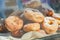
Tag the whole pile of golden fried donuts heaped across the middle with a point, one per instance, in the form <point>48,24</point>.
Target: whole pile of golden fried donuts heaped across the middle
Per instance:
<point>38,22</point>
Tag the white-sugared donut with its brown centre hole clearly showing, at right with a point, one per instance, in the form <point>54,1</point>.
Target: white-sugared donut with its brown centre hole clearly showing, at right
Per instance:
<point>50,25</point>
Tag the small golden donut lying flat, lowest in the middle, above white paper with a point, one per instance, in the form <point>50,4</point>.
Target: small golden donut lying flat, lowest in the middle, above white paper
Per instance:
<point>31,27</point>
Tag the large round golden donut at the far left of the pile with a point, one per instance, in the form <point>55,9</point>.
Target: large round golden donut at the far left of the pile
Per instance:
<point>13,23</point>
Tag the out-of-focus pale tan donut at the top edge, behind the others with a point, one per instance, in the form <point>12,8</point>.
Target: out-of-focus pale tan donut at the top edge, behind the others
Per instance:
<point>32,4</point>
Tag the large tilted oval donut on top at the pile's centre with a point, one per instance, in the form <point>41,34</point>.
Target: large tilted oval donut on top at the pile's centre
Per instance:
<point>33,15</point>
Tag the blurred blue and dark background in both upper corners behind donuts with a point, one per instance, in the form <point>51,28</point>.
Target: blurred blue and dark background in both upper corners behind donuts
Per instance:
<point>8,6</point>
